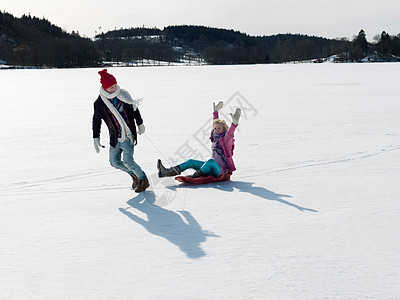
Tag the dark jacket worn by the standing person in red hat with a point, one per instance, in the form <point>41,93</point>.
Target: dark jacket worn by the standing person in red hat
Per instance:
<point>101,112</point>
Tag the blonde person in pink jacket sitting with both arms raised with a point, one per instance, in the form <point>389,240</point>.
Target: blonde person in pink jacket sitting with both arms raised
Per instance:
<point>221,161</point>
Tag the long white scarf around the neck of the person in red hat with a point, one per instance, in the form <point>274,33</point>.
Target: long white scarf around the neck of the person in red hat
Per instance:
<point>124,96</point>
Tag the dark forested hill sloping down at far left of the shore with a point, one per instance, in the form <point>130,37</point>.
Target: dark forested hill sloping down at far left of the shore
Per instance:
<point>30,41</point>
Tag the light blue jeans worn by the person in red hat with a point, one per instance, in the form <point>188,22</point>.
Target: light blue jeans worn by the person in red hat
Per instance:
<point>127,164</point>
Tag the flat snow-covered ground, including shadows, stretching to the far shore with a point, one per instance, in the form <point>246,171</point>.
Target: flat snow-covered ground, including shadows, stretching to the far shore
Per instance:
<point>311,213</point>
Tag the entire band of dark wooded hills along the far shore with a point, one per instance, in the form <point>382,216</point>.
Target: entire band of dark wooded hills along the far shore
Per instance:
<point>30,41</point>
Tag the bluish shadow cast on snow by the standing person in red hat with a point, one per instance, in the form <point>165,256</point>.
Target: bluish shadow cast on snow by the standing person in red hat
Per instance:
<point>180,229</point>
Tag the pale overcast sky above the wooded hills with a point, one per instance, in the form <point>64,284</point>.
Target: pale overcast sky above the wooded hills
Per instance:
<point>339,18</point>
